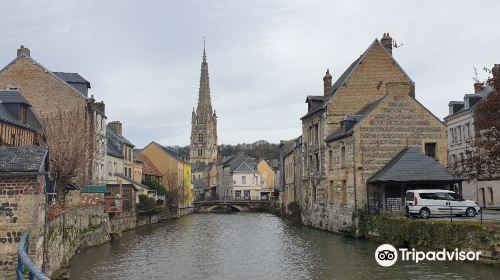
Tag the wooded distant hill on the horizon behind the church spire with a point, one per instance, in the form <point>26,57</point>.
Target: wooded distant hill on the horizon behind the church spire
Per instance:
<point>260,150</point>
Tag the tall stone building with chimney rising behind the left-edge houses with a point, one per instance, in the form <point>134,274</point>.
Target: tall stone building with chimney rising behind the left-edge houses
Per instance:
<point>50,93</point>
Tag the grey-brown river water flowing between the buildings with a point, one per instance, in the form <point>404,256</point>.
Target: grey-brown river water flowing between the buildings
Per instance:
<point>250,246</point>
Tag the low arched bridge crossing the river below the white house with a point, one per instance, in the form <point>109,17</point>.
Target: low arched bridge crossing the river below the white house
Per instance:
<point>236,205</point>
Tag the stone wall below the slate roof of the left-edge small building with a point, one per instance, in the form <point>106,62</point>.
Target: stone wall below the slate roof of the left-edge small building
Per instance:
<point>22,207</point>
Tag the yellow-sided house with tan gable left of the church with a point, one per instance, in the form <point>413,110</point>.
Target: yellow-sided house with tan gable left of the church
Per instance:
<point>174,169</point>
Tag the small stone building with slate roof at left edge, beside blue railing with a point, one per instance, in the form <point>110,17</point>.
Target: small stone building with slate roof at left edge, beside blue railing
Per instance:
<point>24,173</point>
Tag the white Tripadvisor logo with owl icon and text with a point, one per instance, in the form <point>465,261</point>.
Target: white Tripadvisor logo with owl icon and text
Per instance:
<point>387,255</point>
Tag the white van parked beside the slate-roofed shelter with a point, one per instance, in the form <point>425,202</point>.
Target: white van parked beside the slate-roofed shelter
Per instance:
<point>425,203</point>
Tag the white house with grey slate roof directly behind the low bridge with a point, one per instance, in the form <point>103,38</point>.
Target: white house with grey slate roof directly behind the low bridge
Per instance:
<point>238,178</point>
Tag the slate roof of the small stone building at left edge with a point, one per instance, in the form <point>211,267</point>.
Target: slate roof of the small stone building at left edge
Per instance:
<point>23,159</point>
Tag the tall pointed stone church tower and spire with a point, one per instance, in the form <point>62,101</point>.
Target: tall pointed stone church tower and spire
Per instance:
<point>203,146</point>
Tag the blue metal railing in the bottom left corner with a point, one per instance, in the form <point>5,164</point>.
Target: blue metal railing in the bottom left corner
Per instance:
<point>24,264</point>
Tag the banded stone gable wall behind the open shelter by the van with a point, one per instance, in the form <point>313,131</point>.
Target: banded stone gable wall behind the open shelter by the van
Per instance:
<point>397,122</point>
